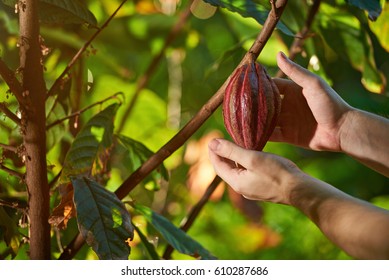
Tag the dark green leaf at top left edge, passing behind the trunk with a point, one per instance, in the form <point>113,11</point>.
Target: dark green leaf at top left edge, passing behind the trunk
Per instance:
<point>62,11</point>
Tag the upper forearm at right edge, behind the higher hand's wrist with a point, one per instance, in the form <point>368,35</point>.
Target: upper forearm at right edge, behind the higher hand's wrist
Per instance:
<point>365,137</point>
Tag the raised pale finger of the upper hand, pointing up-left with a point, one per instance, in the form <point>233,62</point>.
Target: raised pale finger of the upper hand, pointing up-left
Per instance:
<point>298,74</point>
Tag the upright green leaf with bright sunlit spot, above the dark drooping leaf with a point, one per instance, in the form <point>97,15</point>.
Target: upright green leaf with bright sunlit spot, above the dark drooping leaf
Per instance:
<point>96,134</point>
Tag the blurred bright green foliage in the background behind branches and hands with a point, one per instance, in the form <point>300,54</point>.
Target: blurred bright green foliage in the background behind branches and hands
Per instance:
<point>344,47</point>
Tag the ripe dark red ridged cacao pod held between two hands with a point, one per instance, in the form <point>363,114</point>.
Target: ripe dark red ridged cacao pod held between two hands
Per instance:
<point>251,106</point>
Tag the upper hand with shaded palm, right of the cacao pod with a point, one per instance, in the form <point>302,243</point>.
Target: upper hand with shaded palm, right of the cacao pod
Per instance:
<point>312,113</point>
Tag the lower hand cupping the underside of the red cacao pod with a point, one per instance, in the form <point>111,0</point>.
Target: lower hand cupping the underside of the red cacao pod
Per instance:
<point>256,175</point>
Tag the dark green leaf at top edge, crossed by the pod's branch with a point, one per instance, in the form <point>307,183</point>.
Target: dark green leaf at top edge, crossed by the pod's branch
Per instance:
<point>248,8</point>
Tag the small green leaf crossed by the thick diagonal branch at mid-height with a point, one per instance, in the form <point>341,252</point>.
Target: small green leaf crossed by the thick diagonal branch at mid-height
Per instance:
<point>139,153</point>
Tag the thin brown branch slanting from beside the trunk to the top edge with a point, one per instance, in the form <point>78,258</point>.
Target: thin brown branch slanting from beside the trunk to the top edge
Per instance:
<point>58,81</point>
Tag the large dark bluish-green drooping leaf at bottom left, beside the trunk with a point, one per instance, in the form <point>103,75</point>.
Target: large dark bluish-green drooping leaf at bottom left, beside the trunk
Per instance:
<point>102,219</point>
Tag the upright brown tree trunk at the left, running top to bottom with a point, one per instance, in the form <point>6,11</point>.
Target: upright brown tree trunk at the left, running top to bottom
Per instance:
<point>32,105</point>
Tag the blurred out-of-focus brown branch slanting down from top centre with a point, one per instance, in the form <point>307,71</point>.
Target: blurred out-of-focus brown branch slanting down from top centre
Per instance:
<point>144,79</point>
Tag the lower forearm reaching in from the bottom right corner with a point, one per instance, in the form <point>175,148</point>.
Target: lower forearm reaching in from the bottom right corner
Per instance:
<point>357,227</point>
